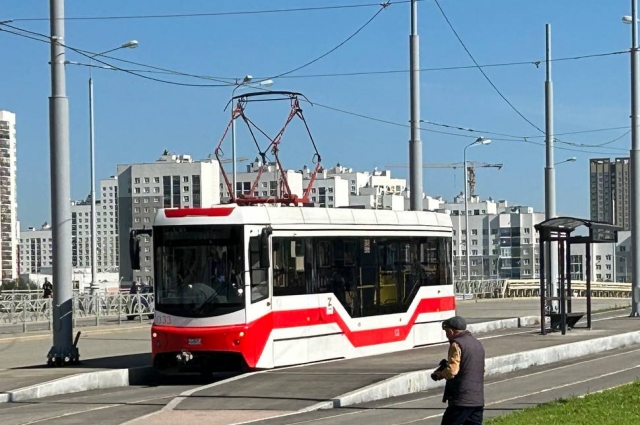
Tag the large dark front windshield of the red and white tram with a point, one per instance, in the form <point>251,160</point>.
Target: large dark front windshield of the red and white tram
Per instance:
<point>199,270</point>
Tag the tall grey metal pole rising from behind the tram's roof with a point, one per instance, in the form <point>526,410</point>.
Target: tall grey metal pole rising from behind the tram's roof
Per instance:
<point>415,144</point>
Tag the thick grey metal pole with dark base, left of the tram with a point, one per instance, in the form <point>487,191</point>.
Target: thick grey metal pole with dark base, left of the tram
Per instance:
<point>63,349</point>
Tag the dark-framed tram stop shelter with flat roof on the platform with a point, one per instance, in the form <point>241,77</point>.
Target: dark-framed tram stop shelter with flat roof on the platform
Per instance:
<point>560,230</point>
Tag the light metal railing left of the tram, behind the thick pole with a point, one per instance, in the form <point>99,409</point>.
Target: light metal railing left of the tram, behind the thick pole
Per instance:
<point>30,311</point>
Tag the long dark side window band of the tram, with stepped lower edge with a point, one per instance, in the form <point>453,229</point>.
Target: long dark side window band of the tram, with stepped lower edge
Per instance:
<point>368,276</point>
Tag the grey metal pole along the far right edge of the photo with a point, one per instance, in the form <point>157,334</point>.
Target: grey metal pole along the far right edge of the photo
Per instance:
<point>635,167</point>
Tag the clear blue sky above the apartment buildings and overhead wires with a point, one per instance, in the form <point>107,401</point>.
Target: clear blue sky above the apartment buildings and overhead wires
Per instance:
<point>136,119</point>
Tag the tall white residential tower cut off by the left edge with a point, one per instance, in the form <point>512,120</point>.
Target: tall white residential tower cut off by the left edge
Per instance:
<point>8,200</point>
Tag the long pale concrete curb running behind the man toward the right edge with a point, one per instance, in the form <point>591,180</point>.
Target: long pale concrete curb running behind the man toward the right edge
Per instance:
<point>420,380</point>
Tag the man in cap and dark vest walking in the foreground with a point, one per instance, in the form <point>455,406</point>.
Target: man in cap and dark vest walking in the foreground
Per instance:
<point>464,372</point>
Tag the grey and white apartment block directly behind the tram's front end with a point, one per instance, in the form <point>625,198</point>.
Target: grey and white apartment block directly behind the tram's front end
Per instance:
<point>172,181</point>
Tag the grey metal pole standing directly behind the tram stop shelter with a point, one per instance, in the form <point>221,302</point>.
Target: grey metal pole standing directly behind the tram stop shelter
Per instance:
<point>551,251</point>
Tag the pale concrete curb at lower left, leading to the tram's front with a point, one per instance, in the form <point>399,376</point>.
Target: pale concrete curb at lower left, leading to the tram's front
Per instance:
<point>78,383</point>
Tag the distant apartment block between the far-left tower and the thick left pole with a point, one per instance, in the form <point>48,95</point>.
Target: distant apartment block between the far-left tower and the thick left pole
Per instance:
<point>36,250</point>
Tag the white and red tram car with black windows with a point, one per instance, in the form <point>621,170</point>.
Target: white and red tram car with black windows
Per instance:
<point>265,286</point>
